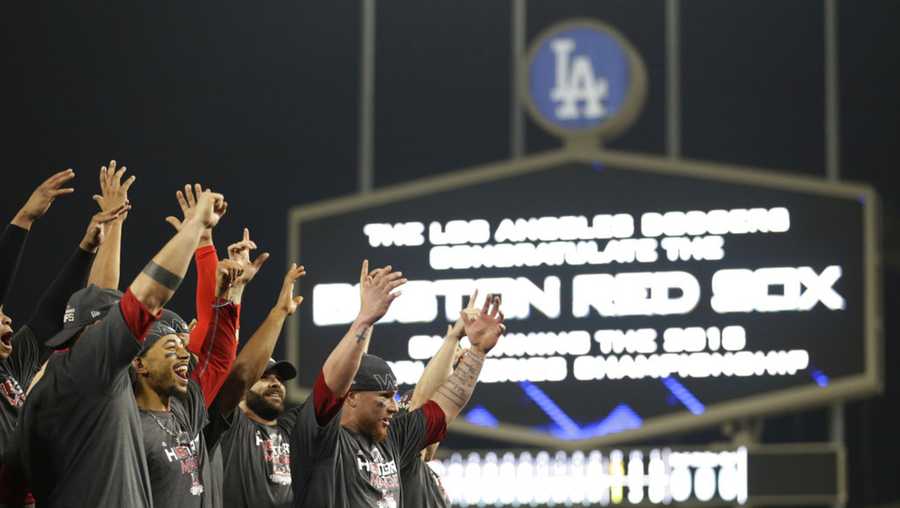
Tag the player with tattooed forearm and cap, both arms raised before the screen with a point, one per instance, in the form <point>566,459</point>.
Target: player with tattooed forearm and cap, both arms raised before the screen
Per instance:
<point>347,447</point>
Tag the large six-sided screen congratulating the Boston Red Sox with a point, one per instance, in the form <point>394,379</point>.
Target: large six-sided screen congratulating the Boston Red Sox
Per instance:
<point>641,295</point>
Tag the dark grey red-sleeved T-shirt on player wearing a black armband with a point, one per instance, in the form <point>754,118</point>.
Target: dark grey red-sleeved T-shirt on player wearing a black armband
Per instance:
<point>81,431</point>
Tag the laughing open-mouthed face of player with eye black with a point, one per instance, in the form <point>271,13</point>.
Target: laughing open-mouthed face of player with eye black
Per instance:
<point>167,365</point>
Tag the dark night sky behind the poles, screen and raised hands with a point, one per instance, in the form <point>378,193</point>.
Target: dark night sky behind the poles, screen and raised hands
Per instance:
<point>260,101</point>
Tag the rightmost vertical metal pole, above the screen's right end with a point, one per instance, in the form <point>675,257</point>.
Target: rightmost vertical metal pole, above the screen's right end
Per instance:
<point>832,105</point>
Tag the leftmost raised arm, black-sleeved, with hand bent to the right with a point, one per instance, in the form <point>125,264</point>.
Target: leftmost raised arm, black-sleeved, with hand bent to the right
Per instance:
<point>12,239</point>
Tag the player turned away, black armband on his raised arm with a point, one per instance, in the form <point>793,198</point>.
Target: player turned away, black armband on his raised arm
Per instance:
<point>81,426</point>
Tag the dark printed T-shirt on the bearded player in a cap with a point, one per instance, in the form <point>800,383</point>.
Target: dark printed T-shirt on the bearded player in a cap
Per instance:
<point>257,462</point>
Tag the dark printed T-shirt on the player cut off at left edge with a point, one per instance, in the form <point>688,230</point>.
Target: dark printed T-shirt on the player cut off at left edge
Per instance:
<point>16,373</point>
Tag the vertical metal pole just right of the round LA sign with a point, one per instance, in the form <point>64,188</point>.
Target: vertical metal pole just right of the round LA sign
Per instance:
<point>673,79</point>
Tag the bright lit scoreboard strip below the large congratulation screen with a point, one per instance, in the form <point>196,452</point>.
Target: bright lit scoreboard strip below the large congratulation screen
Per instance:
<point>781,475</point>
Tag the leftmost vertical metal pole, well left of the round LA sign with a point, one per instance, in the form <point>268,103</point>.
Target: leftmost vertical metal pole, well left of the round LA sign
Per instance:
<point>366,148</point>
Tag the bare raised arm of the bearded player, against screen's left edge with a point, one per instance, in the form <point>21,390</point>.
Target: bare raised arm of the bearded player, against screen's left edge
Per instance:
<point>252,360</point>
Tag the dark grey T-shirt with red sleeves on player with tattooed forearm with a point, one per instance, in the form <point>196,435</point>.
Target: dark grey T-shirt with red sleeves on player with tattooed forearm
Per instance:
<point>334,467</point>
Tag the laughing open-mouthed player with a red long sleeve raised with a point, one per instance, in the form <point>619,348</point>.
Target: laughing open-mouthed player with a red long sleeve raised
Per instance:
<point>172,399</point>
